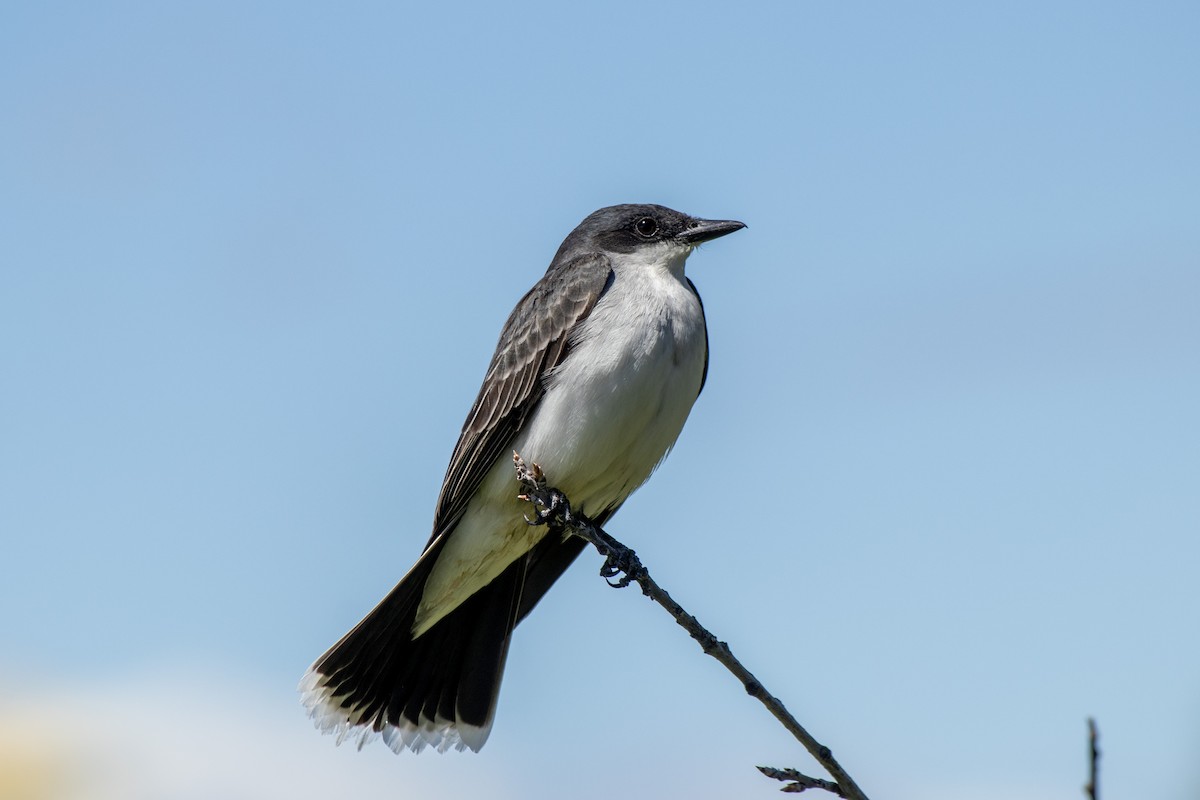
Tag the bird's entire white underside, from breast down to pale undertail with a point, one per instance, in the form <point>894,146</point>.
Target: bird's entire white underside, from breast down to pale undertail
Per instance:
<point>611,412</point>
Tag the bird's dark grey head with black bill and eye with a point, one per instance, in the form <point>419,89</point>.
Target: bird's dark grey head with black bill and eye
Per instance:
<point>633,228</point>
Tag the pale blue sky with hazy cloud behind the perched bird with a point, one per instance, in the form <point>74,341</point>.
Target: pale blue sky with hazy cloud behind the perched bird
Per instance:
<point>941,491</point>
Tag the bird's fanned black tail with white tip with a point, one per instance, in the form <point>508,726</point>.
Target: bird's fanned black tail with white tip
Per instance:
<point>441,689</point>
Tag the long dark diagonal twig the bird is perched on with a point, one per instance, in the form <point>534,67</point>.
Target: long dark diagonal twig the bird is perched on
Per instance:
<point>553,508</point>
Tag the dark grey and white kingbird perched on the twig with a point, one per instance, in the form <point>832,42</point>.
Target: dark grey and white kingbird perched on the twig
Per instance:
<point>593,378</point>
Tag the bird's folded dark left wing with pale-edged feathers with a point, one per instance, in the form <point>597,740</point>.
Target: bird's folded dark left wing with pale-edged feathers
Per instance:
<point>536,340</point>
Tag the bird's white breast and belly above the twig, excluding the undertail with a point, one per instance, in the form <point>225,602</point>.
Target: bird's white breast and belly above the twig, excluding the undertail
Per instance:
<point>617,405</point>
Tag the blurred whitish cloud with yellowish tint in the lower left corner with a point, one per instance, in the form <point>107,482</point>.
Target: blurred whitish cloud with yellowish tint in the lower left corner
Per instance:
<point>183,737</point>
